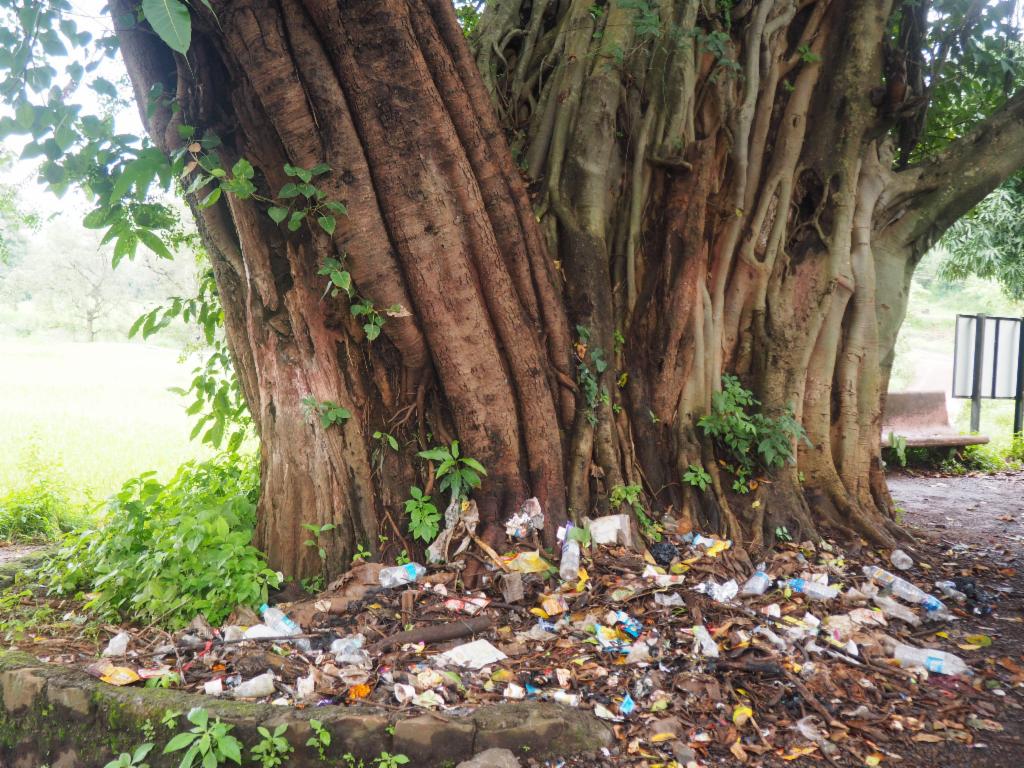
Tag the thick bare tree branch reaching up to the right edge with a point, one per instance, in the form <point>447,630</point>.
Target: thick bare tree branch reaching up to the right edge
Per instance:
<point>926,199</point>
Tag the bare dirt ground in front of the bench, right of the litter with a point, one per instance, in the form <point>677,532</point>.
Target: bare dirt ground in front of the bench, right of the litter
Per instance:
<point>977,524</point>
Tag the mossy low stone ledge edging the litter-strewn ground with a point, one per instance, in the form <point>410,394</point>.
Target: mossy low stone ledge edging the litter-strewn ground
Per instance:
<point>59,716</point>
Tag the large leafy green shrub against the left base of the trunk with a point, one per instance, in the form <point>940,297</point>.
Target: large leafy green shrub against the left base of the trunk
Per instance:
<point>167,552</point>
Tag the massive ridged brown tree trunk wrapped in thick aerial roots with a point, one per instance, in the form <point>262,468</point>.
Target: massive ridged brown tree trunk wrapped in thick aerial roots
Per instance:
<point>708,195</point>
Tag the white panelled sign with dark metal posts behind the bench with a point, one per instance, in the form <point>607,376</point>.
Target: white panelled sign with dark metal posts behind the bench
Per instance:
<point>989,363</point>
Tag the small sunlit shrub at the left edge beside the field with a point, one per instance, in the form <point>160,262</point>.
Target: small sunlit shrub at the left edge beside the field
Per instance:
<point>40,509</point>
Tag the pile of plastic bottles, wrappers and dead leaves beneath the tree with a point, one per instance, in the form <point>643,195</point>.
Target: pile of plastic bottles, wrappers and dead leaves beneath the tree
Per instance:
<point>689,650</point>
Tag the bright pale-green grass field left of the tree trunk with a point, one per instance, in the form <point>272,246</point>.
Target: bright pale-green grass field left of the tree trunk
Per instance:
<point>102,411</point>
